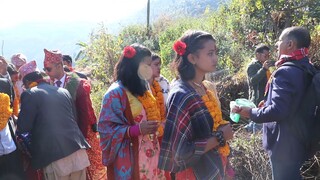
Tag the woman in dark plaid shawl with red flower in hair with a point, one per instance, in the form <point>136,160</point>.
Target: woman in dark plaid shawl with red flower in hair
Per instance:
<point>194,145</point>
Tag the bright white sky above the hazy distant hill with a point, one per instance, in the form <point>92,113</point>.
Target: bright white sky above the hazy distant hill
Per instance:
<point>21,11</point>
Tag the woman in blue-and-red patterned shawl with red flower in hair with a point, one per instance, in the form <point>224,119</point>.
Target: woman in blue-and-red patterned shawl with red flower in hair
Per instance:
<point>129,119</point>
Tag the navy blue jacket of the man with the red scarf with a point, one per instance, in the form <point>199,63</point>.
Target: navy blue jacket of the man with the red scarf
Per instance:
<point>283,100</point>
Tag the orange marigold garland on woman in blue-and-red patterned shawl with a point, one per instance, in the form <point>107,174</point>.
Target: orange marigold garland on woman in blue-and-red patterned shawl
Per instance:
<point>149,103</point>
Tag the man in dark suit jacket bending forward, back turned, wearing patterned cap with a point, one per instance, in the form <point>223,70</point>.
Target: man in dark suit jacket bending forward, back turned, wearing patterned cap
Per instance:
<point>47,114</point>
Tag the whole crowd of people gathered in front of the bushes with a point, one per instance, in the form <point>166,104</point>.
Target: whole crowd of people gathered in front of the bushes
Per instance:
<point>147,128</point>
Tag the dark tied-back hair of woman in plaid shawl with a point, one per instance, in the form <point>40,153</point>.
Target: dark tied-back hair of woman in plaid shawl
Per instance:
<point>194,41</point>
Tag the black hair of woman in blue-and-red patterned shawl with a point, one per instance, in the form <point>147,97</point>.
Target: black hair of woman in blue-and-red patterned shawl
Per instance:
<point>126,70</point>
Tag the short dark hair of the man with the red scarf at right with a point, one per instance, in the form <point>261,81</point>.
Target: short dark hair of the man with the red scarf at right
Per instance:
<point>300,34</point>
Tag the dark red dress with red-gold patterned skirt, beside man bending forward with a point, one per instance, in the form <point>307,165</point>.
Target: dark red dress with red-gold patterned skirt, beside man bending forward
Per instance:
<point>80,92</point>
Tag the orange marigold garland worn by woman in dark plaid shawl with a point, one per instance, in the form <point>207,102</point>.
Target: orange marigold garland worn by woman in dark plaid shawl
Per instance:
<point>216,114</point>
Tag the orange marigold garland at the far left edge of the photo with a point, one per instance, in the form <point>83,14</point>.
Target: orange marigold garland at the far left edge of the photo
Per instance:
<point>5,110</point>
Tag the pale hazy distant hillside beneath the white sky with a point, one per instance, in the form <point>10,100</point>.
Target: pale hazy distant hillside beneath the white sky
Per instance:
<point>31,38</point>
